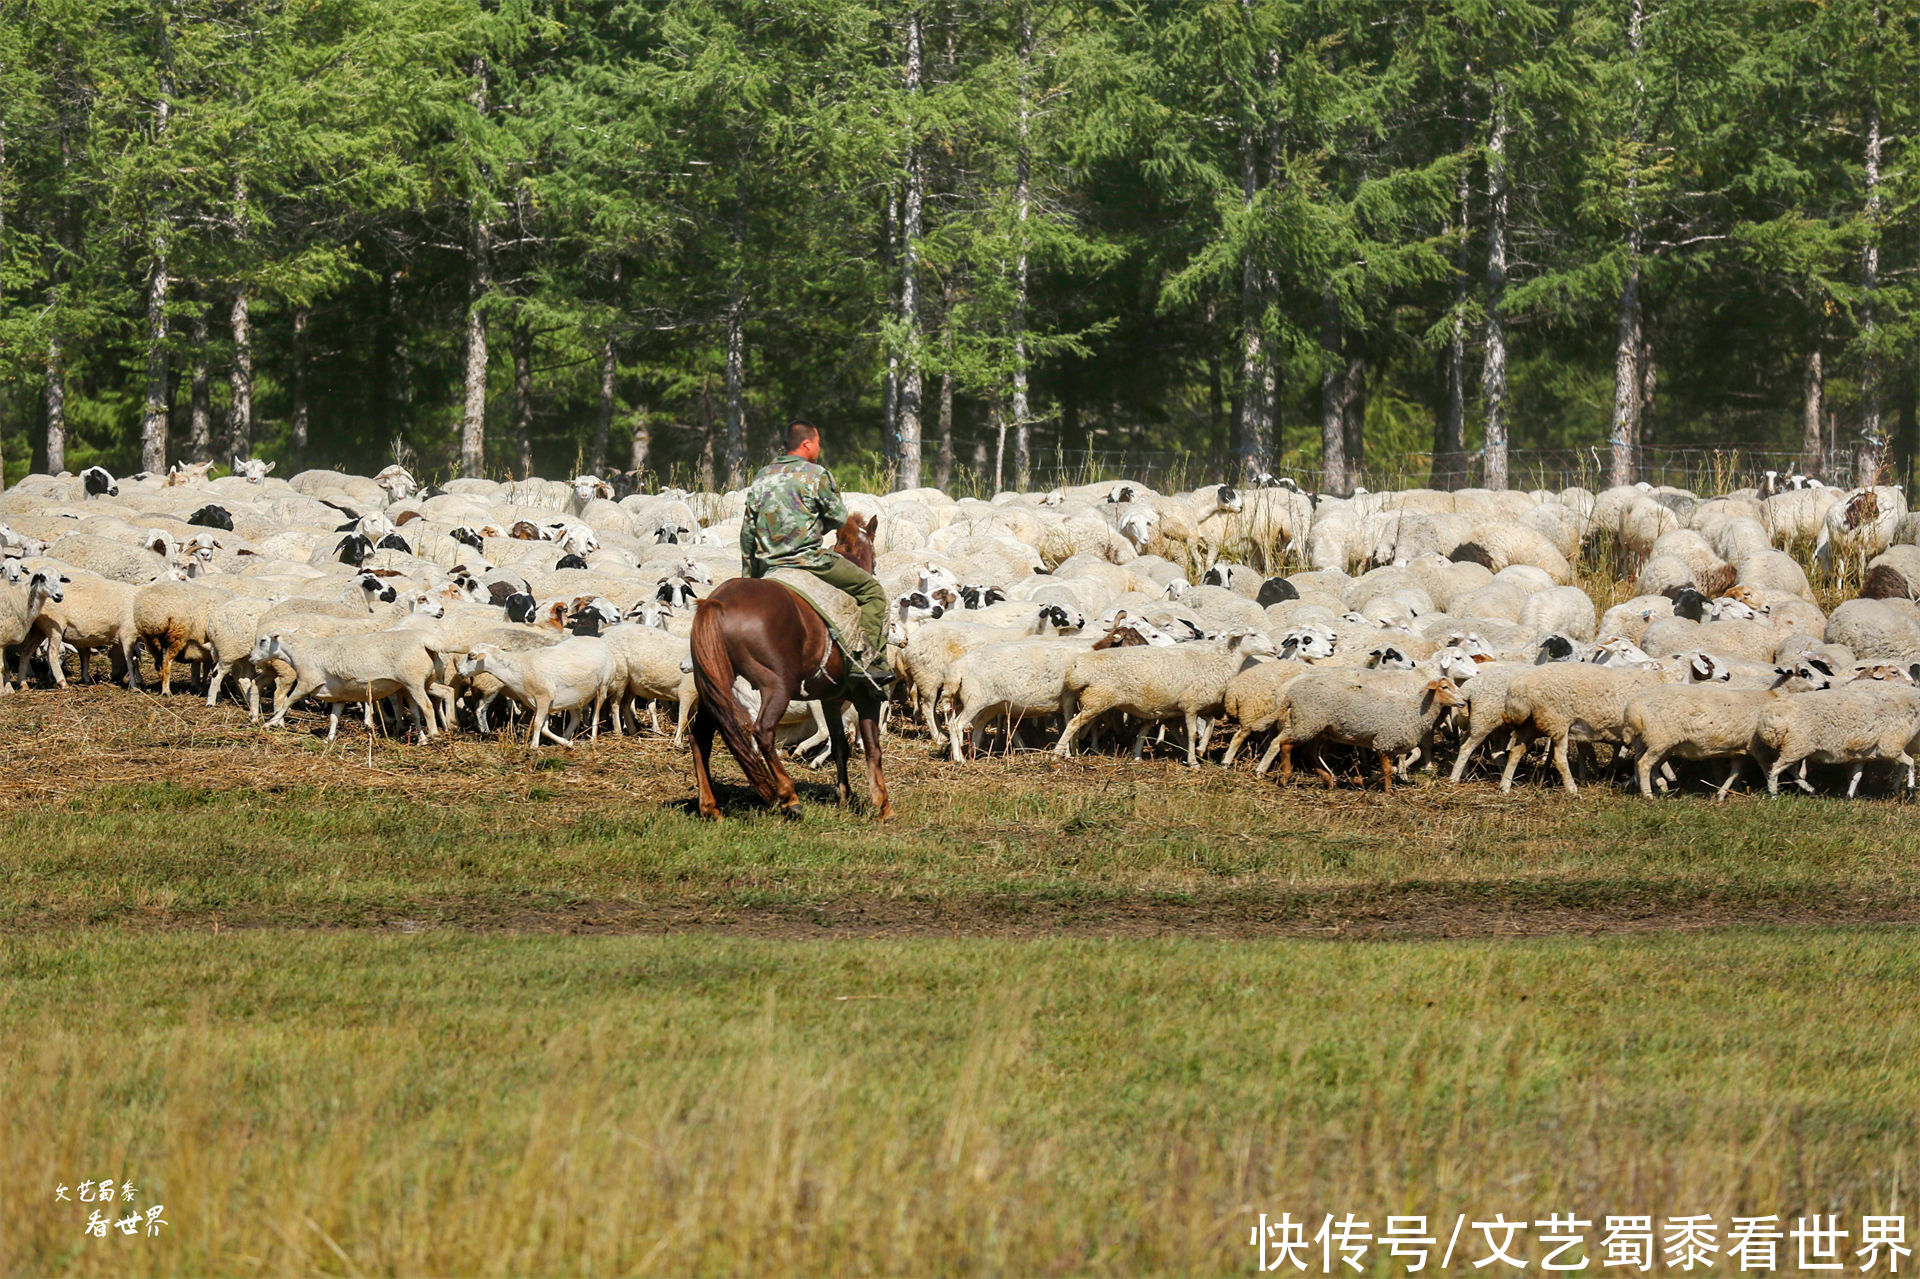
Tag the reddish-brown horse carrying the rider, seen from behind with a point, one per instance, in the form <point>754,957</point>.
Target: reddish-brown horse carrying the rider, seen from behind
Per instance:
<point>780,646</point>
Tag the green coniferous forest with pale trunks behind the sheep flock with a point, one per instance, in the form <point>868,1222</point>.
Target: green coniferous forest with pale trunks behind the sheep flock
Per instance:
<point>1360,241</point>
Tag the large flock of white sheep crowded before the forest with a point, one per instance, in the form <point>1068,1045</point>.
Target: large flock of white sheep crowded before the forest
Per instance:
<point>1381,629</point>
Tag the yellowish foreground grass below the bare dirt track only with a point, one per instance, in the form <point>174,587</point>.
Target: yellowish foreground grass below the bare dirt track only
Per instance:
<point>502,1107</point>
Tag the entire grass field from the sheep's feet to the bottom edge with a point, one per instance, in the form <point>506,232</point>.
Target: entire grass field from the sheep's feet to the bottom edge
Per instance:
<point>456,1011</point>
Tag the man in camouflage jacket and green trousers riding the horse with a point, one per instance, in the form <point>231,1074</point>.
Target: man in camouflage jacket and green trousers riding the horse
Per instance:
<point>790,508</point>
